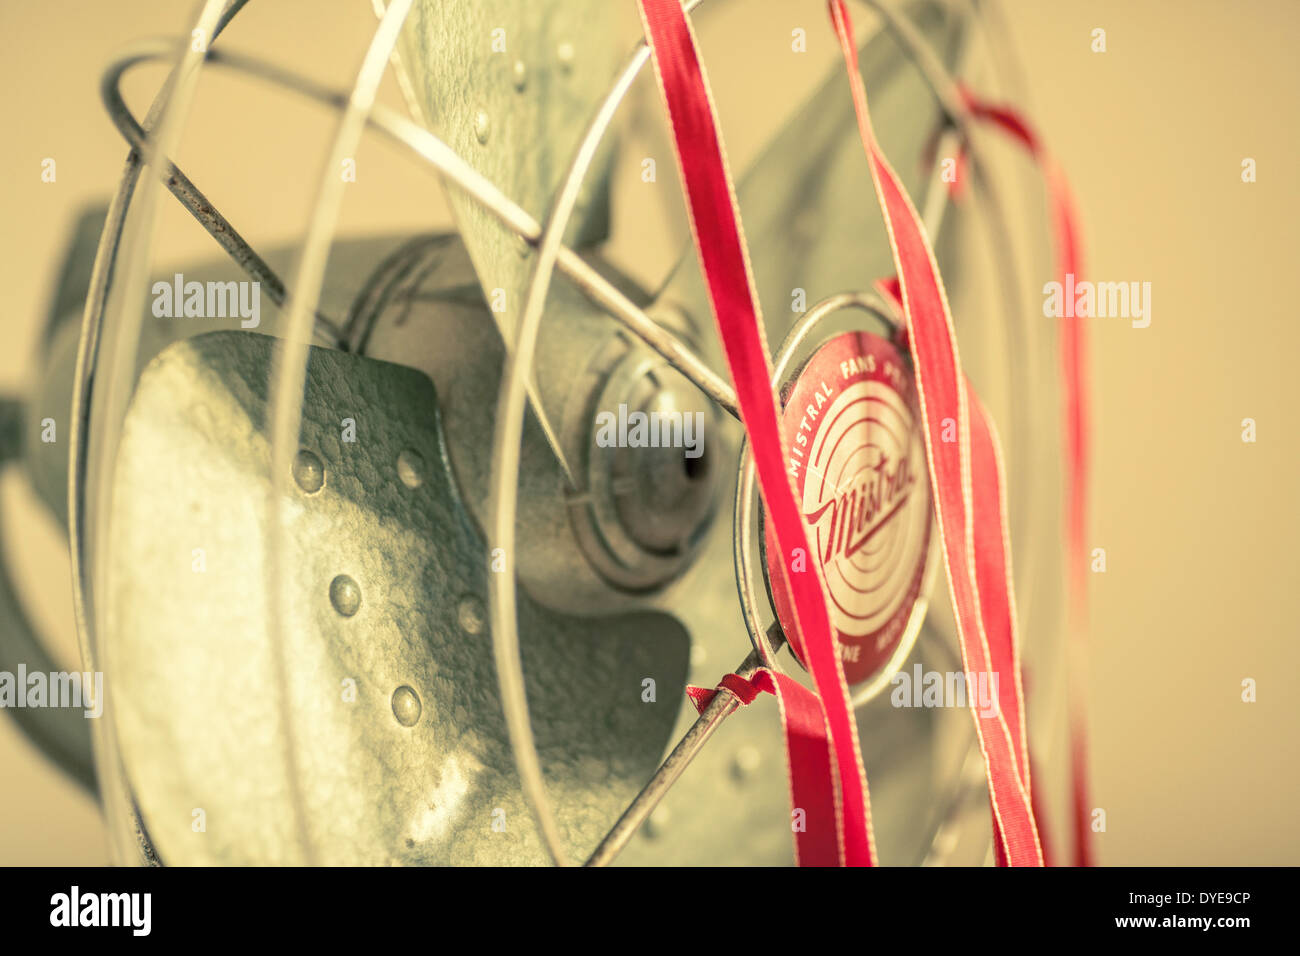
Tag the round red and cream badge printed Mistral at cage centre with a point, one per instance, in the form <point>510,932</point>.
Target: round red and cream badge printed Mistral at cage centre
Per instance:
<point>851,431</point>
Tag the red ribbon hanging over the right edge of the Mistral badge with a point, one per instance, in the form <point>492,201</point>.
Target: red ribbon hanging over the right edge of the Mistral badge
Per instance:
<point>963,473</point>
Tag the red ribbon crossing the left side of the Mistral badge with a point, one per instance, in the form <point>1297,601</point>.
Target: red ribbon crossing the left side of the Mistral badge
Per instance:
<point>725,262</point>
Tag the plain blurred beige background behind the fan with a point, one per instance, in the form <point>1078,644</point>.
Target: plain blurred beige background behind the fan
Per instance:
<point>1201,529</point>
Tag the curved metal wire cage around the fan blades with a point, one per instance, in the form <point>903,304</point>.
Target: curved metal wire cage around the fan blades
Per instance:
<point>112,327</point>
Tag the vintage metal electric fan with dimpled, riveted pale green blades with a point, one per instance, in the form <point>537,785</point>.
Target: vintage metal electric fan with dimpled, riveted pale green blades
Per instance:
<point>443,615</point>
